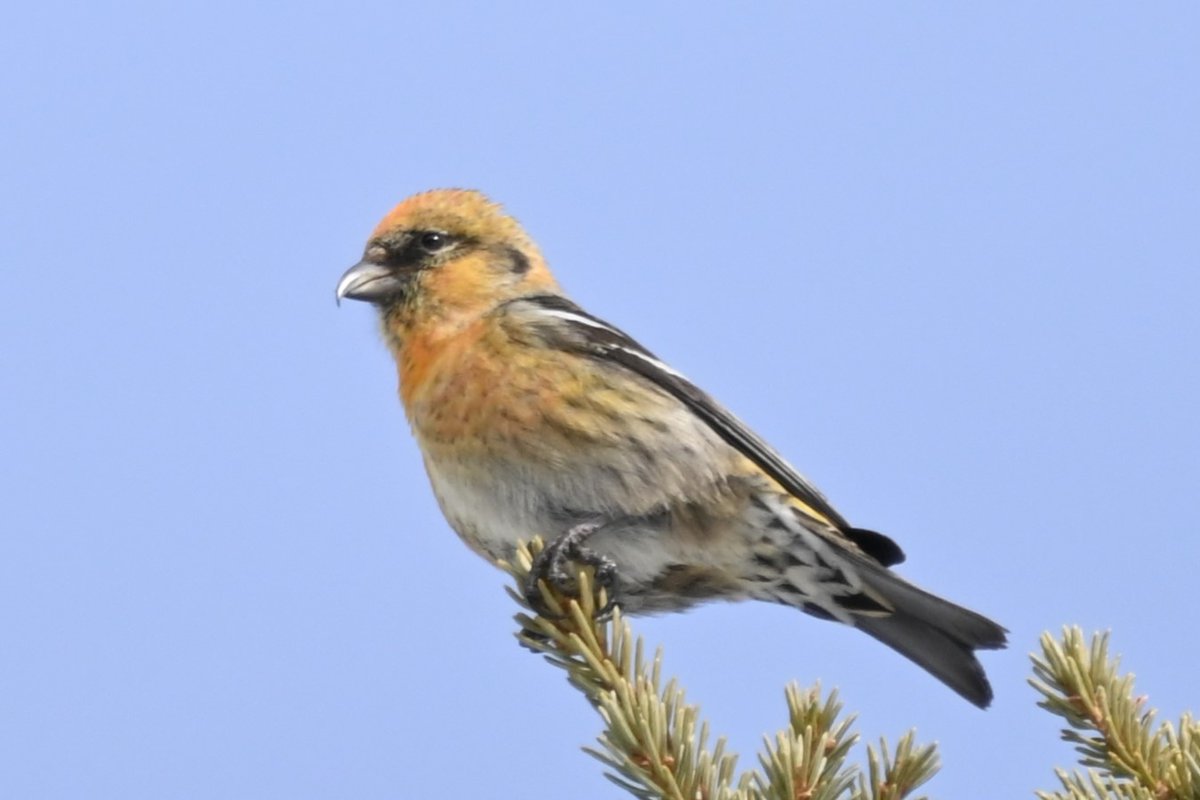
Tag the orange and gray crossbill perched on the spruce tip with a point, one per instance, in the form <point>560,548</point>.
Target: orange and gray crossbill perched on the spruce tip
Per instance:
<point>536,418</point>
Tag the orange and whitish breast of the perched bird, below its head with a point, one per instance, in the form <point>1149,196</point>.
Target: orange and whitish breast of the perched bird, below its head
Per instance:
<point>517,446</point>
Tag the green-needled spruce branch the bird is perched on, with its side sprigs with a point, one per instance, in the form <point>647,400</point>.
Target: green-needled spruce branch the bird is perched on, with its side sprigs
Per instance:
<point>656,744</point>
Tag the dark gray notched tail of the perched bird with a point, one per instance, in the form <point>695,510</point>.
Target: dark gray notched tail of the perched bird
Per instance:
<point>935,634</point>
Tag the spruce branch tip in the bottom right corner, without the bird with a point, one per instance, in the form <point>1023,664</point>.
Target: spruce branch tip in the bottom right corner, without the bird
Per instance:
<point>1125,753</point>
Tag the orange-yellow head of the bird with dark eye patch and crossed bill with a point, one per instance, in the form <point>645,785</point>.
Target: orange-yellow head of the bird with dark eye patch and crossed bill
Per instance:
<point>447,252</point>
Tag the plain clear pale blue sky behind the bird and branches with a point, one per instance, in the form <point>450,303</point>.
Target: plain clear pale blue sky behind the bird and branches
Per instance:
<point>944,257</point>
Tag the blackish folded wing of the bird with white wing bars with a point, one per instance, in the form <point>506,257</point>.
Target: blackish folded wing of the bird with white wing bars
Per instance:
<point>571,328</point>
